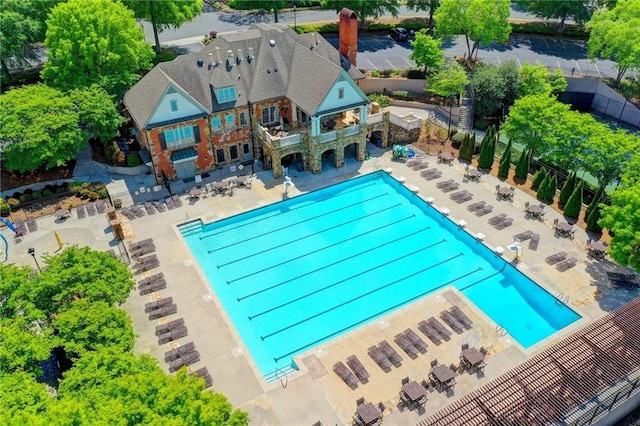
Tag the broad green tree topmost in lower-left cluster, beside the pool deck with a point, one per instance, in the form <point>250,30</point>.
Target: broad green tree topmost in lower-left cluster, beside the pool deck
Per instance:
<point>80,273</point>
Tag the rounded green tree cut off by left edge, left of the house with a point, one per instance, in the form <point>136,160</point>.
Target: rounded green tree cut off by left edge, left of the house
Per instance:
<point>38,127</point>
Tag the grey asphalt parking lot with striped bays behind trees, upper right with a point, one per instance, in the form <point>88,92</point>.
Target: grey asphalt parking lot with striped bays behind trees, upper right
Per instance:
<point>378,51</point>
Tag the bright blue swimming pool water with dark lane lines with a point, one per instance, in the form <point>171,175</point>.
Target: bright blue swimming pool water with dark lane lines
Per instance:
<point>302,271</point>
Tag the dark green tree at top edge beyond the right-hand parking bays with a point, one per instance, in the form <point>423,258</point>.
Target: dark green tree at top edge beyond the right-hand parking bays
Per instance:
<point>579,10</point>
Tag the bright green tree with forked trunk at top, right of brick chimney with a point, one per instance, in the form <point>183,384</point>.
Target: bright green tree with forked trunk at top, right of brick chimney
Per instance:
<point>479,21</point>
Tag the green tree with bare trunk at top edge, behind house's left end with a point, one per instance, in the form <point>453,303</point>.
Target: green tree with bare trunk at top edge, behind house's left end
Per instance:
<point>167,14</point>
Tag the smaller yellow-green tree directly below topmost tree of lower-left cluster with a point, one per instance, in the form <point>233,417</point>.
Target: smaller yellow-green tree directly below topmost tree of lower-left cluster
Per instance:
<point>90,326</point>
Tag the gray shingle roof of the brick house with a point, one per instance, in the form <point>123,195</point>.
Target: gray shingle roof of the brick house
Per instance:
<point>285,64</point>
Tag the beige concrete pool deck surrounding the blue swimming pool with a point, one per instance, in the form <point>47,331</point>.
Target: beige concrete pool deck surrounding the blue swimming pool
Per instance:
<point>316,393</point>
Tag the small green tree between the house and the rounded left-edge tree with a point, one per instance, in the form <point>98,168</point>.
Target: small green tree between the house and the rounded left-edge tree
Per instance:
<point>97,112</point>
